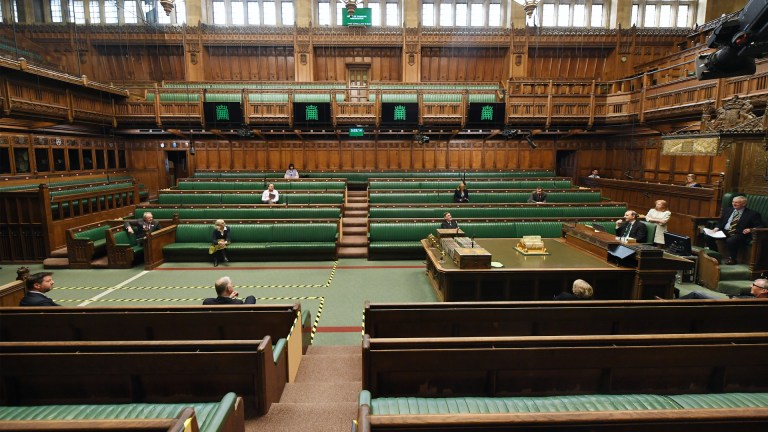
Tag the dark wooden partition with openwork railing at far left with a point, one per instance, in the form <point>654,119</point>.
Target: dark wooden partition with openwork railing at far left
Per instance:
<point>34,223</point>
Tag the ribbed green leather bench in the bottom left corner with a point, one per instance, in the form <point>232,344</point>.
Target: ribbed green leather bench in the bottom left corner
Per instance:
<point>223,416</point>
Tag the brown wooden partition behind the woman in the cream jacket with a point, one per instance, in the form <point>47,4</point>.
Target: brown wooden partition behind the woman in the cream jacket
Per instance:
<point>688,205</point>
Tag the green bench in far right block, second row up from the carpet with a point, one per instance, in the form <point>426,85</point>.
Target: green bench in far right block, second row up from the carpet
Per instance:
<point>498,212</point>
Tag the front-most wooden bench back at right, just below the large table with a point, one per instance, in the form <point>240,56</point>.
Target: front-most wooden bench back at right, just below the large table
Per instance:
<point>564,318</point>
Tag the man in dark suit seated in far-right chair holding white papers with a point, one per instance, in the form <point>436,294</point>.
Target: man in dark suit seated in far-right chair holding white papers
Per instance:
<point>736,223</point>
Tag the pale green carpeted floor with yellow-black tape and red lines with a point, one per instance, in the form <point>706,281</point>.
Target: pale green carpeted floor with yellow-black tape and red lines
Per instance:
<point>334,292</point>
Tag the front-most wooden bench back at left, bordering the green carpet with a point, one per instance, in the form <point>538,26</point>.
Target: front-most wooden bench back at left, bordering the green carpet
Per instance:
<point>219,322</point>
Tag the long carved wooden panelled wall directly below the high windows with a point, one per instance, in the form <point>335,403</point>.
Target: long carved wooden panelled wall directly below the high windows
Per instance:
<point>105,53</point>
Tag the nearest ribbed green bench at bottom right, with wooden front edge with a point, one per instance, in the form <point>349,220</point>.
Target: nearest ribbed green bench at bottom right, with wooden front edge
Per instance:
<point>724,412</point>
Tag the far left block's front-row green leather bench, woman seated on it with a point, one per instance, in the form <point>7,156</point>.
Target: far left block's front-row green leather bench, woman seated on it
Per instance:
<point>291,240</point>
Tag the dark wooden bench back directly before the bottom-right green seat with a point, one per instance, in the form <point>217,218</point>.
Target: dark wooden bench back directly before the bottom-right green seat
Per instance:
<point>659,364</point>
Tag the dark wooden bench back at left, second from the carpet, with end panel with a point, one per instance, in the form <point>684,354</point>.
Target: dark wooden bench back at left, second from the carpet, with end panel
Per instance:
<point>45,373</point>
